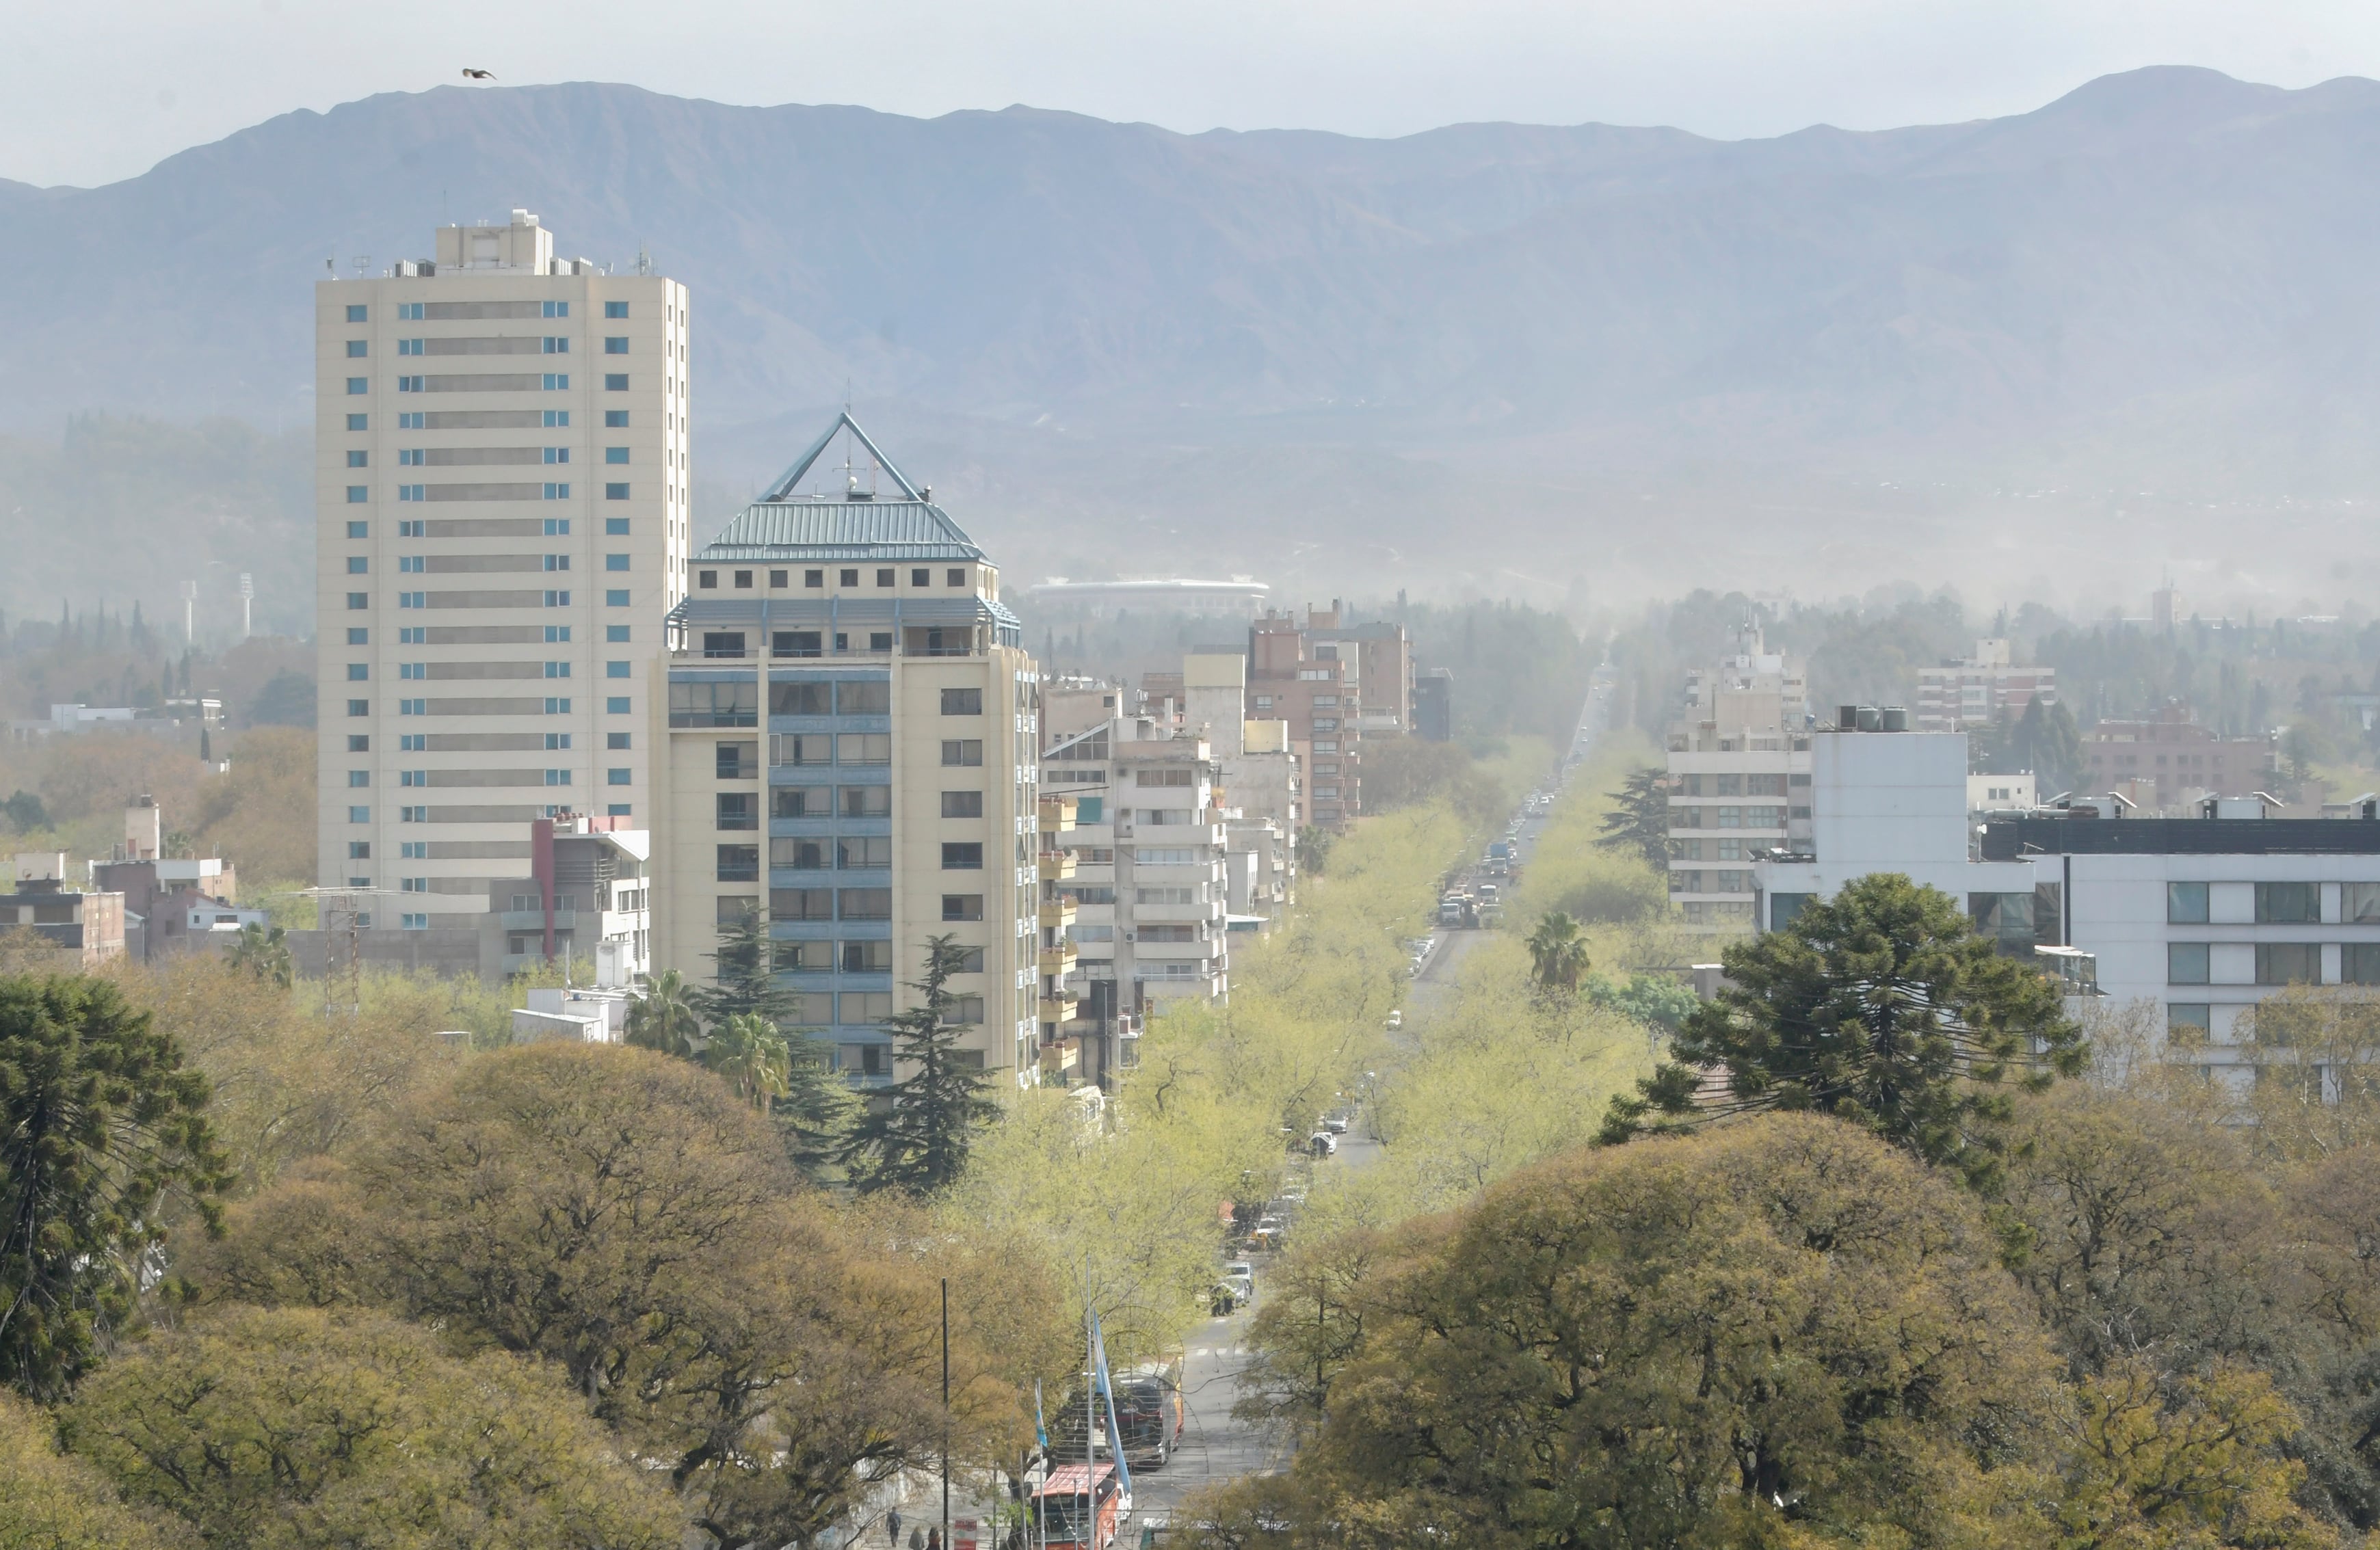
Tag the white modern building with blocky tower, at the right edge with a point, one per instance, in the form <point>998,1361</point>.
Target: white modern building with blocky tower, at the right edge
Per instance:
<point>2200,915</point>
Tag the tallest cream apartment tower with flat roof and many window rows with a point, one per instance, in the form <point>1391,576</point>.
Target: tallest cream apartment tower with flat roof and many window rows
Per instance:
<point>503,523</point>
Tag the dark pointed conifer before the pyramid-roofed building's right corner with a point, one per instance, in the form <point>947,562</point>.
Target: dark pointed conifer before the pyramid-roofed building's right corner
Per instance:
<point>917,1142</point>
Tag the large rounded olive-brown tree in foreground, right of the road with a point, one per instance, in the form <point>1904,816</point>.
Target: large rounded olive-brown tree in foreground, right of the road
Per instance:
<point>1772,1335</point>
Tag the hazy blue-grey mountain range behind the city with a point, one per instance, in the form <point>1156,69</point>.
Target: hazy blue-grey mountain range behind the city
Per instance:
<point>2117,327</point>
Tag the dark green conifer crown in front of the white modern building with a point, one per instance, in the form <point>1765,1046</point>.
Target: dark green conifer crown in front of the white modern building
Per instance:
<point>1879,1006</point>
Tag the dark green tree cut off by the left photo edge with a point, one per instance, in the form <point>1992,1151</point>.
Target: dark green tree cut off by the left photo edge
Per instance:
<point>101,1125</point>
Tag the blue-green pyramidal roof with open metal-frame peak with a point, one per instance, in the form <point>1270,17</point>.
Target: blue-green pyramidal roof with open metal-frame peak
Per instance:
<point>848,523</point>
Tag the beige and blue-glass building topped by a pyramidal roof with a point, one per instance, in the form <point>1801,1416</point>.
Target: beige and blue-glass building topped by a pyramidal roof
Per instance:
<point>851,730</point>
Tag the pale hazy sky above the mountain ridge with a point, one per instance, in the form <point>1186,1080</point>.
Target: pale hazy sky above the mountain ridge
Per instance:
<point>101,89</point>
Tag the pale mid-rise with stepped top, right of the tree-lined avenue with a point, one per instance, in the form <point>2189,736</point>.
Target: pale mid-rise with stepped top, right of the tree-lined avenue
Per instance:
<point>1739,780</point>
